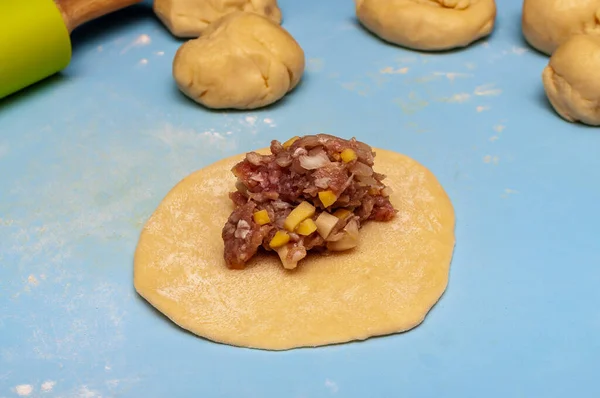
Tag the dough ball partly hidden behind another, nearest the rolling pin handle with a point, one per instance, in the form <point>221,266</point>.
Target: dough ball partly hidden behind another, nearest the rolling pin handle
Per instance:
<point>190,18</point>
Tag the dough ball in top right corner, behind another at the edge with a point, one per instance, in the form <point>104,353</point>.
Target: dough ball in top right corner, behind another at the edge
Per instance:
<point>548,23</point>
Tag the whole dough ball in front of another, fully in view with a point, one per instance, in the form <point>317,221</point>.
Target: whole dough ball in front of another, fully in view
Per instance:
<point>242,61</point>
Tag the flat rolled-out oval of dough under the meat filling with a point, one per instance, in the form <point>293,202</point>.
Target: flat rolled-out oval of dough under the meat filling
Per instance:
<point>387,285</point>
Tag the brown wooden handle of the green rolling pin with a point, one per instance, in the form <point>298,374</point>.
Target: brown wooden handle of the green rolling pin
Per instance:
<point>77,12</point>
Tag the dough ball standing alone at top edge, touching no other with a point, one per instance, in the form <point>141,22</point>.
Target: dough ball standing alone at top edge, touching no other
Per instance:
<point>428,24</point>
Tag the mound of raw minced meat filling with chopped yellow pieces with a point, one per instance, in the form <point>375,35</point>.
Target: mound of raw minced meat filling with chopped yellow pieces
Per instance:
<point>311,193</point>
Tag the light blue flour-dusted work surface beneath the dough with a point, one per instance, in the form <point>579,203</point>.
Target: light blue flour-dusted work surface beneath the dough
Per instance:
<point>86,156</point>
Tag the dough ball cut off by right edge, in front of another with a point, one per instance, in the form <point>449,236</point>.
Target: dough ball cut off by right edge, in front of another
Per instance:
<point>572,79</point>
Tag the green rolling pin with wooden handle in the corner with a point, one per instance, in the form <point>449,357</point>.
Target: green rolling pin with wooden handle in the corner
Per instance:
<point>35,40</point>
